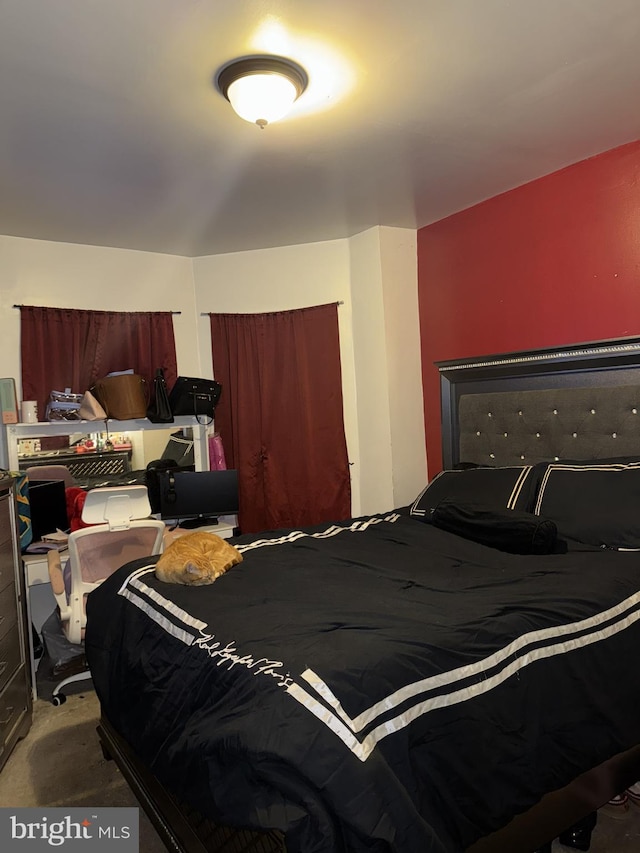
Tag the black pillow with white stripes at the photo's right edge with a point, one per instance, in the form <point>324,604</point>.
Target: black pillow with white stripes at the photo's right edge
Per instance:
<point>597,503</point>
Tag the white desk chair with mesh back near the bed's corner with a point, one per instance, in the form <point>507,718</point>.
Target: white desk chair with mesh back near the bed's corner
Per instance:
<point>118,535</point>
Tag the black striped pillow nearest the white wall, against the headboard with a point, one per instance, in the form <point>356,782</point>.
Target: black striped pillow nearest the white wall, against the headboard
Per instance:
<point>511,487</point>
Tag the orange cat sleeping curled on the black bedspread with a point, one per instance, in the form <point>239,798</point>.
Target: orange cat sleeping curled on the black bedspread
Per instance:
<point>196,558</point>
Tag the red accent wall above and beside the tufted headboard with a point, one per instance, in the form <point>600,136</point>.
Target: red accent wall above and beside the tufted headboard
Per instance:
<point>553,262</point>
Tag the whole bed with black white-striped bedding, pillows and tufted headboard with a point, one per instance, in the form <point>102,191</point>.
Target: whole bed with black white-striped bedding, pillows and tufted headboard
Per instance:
<point>384,684</point>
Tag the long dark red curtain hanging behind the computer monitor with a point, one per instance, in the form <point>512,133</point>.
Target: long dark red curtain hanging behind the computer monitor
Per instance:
<point>280,415</point>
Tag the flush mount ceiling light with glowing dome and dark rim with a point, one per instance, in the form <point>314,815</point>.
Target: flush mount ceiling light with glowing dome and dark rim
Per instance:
<point>262,89</point>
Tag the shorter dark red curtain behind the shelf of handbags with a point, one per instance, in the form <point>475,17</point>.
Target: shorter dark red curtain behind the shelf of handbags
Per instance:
<point>69,348</point>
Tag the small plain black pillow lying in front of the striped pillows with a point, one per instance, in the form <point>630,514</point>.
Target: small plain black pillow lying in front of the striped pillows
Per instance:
<point>508,530</point>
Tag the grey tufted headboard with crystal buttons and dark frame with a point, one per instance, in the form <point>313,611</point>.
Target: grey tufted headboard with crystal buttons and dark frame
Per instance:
<point>579,402</point>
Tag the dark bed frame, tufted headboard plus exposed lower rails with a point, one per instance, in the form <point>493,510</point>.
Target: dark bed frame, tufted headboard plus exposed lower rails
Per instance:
<point>580,402</point>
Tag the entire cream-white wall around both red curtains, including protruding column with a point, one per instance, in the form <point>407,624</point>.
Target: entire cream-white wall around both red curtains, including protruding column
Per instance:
<point>373,275</point>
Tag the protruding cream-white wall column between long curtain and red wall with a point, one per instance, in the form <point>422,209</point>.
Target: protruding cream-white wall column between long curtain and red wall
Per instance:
<point>386,339</point>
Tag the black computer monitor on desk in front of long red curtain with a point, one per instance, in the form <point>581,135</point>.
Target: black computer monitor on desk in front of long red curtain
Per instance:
<point>197,498</point>
